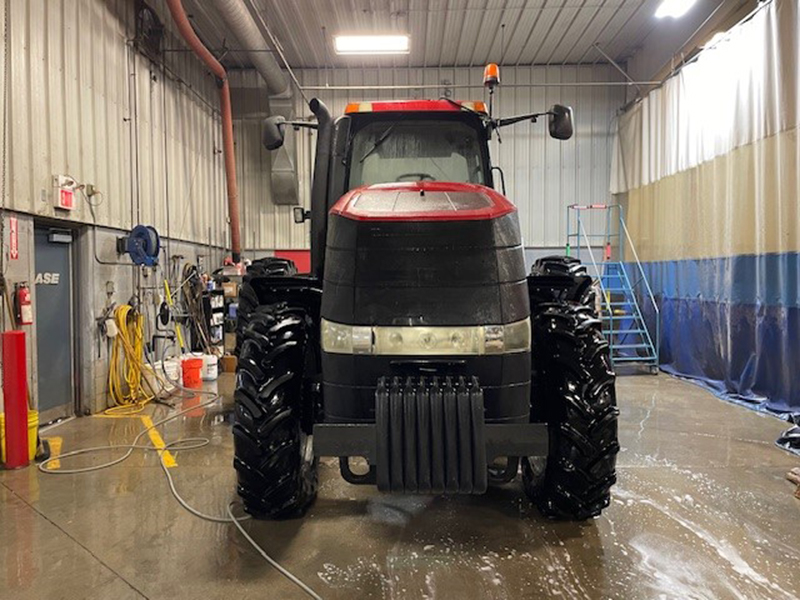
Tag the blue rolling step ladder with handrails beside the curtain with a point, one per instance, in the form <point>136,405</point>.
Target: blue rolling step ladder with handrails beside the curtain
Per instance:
<point>621,286</point>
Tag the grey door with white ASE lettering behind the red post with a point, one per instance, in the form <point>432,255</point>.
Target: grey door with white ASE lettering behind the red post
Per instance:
<point>53,319</point>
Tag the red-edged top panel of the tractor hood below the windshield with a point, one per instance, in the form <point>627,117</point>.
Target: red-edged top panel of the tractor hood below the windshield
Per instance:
<point>422,201</point>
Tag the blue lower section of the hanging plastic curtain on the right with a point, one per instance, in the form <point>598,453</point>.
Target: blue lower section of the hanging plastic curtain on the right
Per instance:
<point>733,324</point>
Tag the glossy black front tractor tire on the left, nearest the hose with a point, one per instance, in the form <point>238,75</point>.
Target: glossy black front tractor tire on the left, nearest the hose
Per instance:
<point>277,470</point>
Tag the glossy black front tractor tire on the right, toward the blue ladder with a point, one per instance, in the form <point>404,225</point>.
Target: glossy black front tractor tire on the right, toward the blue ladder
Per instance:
<point>573,392</point>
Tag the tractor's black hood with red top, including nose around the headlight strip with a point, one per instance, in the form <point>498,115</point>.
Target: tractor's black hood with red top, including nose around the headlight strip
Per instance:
<point>426,254</point>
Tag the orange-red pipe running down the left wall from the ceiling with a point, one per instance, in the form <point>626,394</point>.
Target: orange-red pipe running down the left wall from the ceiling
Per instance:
<point>188,34</point>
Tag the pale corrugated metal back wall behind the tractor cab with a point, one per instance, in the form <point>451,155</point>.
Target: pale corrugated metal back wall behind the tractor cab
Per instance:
<point>543,175</point>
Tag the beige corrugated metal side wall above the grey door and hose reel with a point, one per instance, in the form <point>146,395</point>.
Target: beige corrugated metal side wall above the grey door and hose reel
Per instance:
<point>82,100</point>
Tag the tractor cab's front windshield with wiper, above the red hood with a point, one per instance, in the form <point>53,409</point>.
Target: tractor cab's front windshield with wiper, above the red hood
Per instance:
<point>416,150</point>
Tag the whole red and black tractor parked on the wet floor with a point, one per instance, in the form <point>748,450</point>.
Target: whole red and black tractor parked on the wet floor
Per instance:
<point>418,341</point>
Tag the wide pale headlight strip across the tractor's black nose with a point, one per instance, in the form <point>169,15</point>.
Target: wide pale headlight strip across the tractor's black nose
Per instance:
<point>426,341</point>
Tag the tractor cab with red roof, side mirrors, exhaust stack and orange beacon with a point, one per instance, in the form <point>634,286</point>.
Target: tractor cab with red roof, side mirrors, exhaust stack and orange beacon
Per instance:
<point>402,141</point>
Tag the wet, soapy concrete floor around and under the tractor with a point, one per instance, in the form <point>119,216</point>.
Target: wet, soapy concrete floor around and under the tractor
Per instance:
<point>701,511</point>
